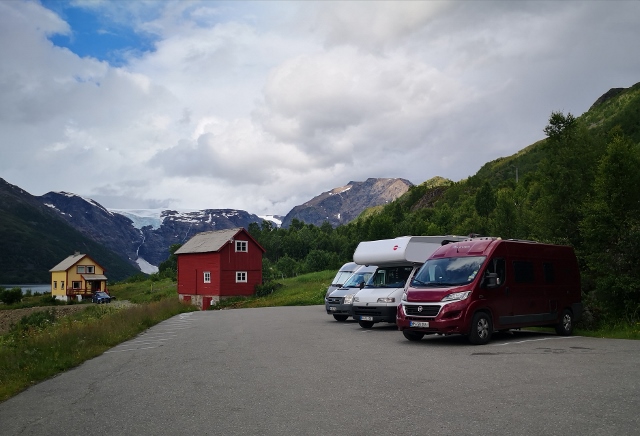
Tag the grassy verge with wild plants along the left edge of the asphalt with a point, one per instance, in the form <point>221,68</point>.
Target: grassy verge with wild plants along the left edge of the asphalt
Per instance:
<point>40,347</point>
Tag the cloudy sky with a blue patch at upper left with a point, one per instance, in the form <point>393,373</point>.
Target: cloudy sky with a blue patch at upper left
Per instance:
<point>261,106</point>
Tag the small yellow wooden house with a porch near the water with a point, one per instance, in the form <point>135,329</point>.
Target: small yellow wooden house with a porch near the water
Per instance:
<point>77,277</point>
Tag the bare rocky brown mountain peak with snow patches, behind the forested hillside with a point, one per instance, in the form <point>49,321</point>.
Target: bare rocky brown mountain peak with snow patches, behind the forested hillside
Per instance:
<point>344,204</point>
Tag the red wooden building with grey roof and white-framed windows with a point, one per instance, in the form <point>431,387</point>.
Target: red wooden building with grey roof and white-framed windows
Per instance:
<point>218,264</point>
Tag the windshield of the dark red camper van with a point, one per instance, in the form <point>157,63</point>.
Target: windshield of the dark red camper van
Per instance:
<point>450,271</point>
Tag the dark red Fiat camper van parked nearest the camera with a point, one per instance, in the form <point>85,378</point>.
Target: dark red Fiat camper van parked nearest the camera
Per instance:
<point>482,285</point>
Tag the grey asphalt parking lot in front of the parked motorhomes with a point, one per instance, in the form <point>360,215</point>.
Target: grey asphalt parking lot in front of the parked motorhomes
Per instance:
<point>295,370</point>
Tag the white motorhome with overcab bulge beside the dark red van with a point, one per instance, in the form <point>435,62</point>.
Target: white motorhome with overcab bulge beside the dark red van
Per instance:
<point>397,259</point>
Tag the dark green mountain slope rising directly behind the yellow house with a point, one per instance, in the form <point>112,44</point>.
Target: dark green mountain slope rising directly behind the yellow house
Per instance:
<point>35,239</point>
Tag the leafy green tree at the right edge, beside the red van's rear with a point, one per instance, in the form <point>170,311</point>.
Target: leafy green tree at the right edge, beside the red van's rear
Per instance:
<point>611,229</point>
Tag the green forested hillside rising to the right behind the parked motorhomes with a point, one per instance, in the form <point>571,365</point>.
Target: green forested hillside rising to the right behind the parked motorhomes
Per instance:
<point>578,186</point>
